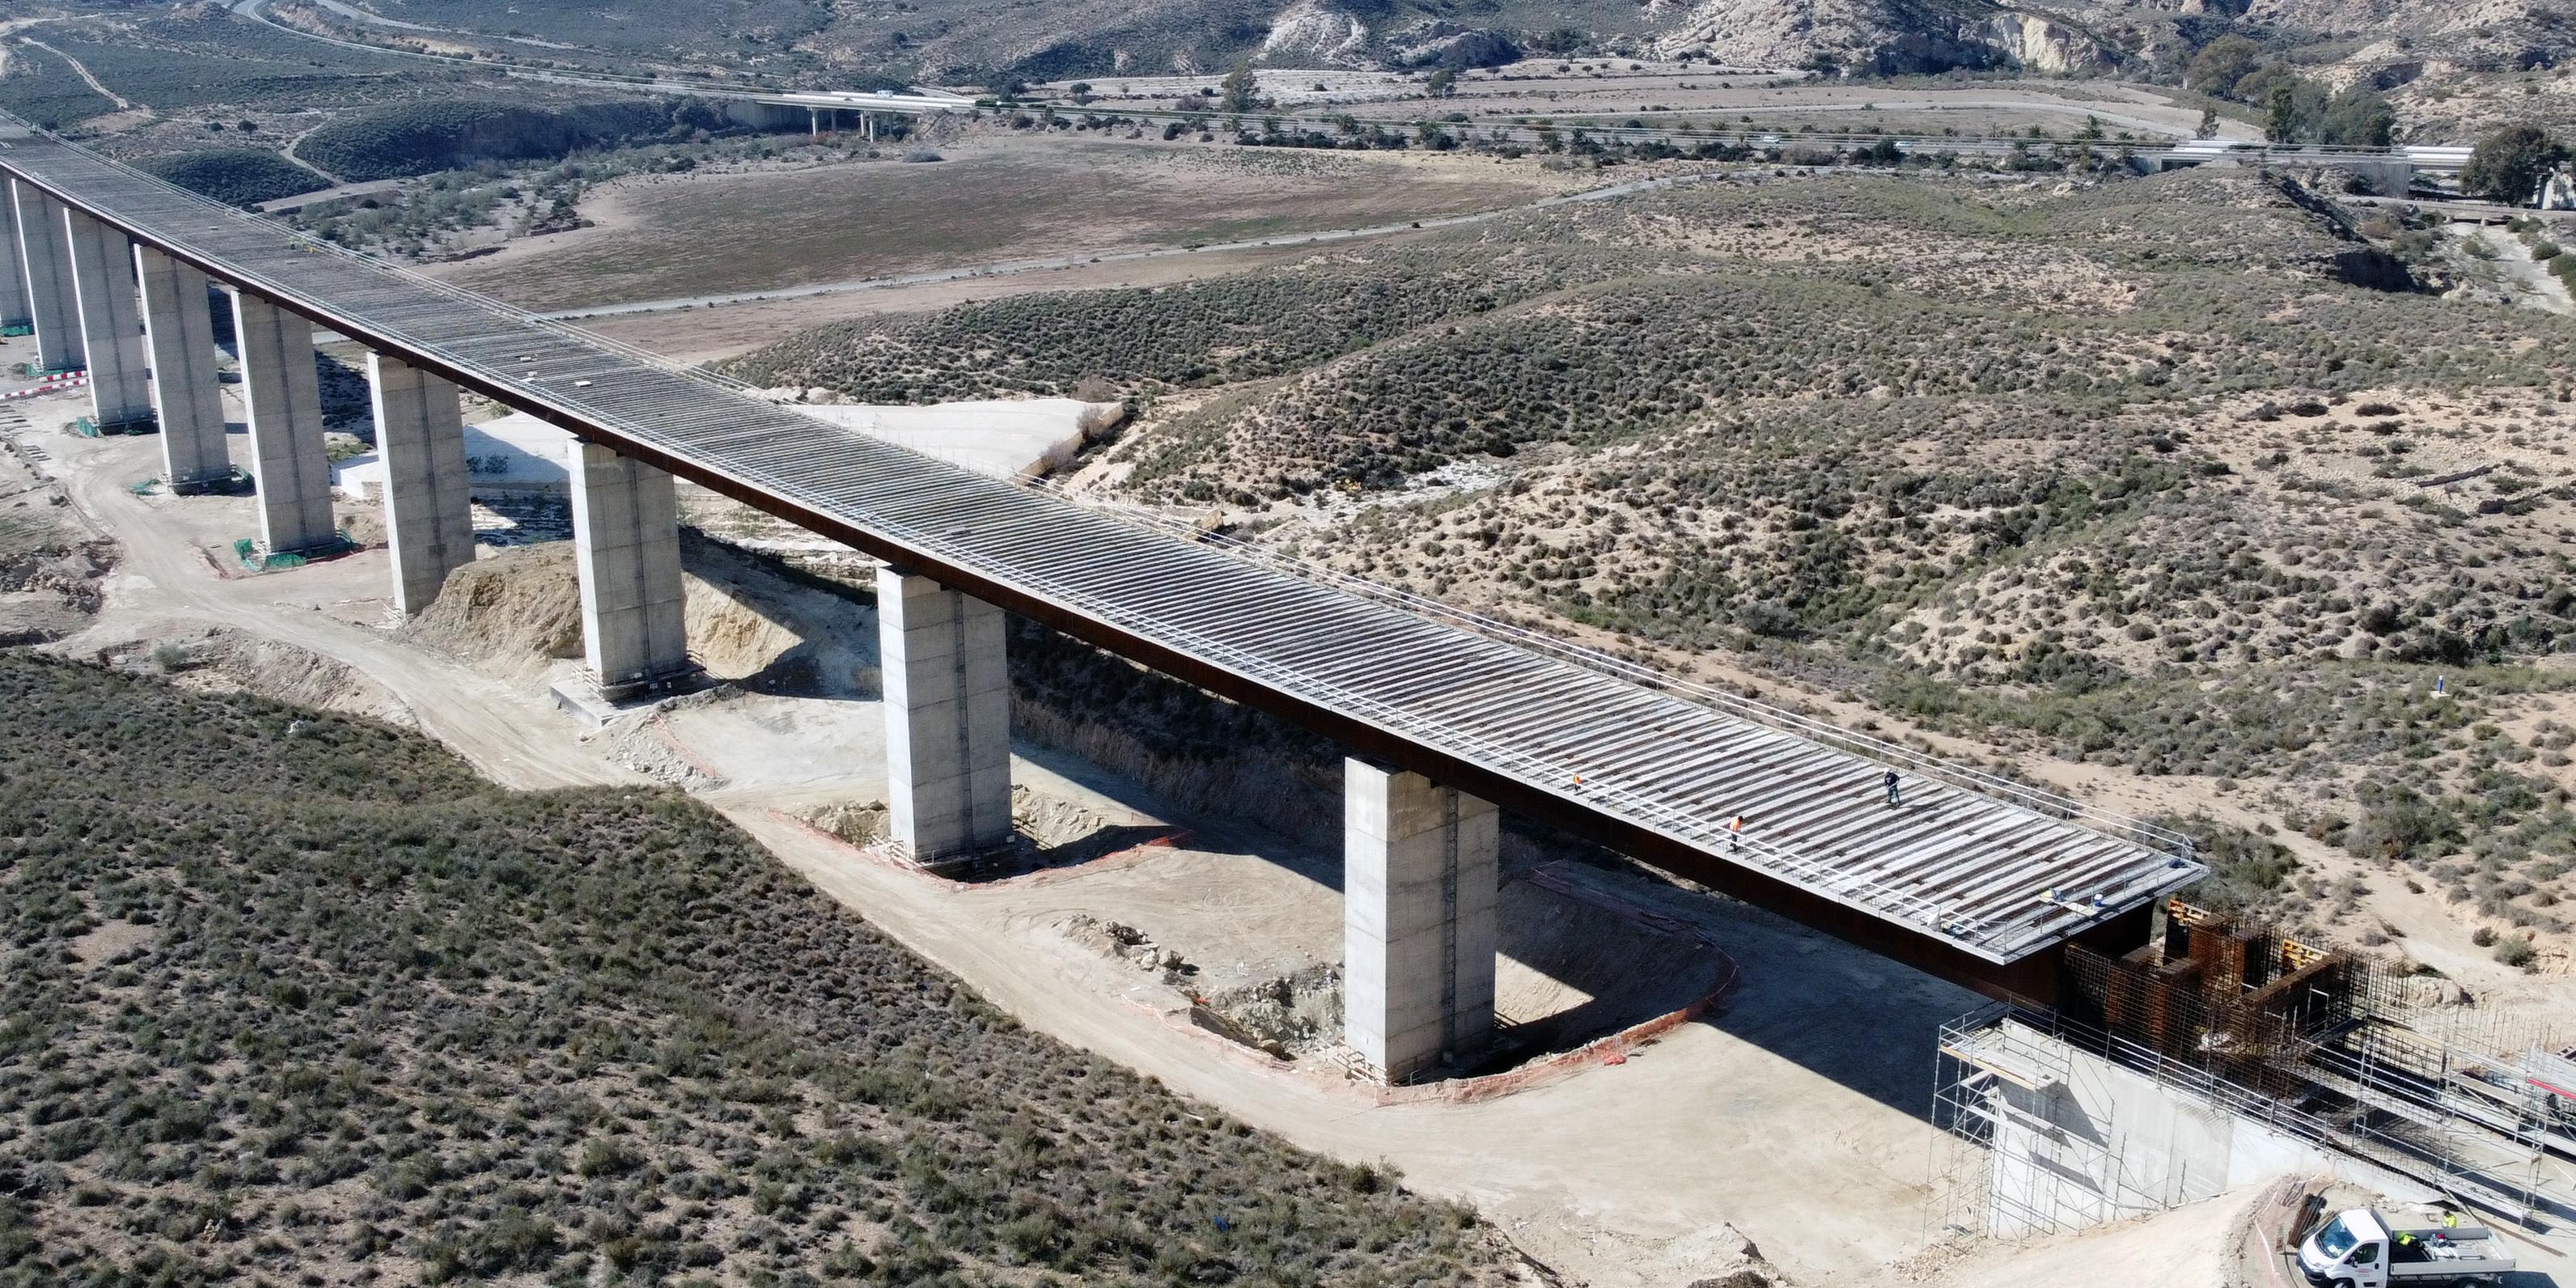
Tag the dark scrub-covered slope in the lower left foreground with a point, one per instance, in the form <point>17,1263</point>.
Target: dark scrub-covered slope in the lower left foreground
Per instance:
<point>303,996</point>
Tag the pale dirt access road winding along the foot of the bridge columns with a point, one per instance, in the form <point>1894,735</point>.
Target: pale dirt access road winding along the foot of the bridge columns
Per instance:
<point>1789,1117</point>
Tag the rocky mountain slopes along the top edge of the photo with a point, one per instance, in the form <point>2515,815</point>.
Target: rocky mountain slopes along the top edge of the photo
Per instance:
<point>2382,43</point>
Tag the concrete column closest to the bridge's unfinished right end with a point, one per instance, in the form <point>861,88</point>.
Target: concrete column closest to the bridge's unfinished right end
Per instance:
<point>1418,921</point>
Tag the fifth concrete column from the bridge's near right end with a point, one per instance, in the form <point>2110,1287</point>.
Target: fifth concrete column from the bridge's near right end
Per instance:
<point>287,452</point>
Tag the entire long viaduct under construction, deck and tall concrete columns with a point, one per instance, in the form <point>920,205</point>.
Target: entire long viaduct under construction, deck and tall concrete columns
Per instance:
<point>1446,720</point>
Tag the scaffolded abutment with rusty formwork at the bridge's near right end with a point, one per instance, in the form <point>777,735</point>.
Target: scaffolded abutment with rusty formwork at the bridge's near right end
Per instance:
<point>2320,1047</point>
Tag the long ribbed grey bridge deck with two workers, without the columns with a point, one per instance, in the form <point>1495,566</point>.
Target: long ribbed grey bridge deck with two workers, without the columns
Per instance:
<point>1972,862</point>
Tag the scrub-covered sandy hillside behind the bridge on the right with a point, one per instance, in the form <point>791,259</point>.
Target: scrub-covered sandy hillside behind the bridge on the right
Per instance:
<point>2178,478</point>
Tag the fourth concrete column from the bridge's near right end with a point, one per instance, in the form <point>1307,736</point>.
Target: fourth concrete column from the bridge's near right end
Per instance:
<point>421,434</point>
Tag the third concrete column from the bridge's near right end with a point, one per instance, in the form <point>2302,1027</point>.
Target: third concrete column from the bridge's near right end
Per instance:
<point>627,537</point>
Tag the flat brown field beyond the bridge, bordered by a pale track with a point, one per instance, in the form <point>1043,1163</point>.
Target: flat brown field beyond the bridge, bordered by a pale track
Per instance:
<point>998,197</point>
